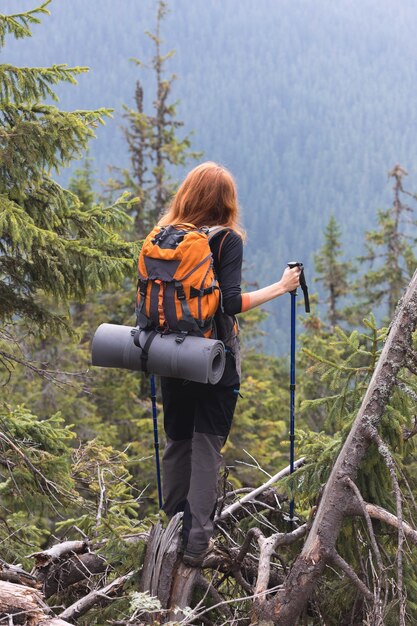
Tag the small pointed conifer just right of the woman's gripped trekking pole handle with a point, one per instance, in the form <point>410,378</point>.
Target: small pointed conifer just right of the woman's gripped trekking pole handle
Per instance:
<point>332,272</point>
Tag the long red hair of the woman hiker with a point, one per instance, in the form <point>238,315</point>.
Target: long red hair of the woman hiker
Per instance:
<point>207,197</point>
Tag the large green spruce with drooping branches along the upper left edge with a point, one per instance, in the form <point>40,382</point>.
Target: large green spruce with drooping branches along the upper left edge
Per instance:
<point>53,249</point>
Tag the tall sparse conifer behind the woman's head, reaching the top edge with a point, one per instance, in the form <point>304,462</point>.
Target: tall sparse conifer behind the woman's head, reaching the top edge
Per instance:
<point>152,140</point>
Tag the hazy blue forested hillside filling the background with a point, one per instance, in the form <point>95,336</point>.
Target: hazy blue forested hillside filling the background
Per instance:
<point>309,103</point>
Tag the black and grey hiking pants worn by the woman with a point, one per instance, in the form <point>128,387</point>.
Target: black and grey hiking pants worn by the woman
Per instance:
<point>197,421</point>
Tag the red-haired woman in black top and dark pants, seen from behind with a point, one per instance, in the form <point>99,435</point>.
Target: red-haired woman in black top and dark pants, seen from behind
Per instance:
<point>198,417</point>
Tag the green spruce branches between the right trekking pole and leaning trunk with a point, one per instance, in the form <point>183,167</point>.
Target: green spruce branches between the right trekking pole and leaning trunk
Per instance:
<point>340,367</point>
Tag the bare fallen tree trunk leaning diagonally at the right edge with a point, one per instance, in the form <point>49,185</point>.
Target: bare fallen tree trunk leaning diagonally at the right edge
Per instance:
<point>289,602</point>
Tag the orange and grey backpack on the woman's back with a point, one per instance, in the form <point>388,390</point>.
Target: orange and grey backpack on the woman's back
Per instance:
<point>177,288</point>
